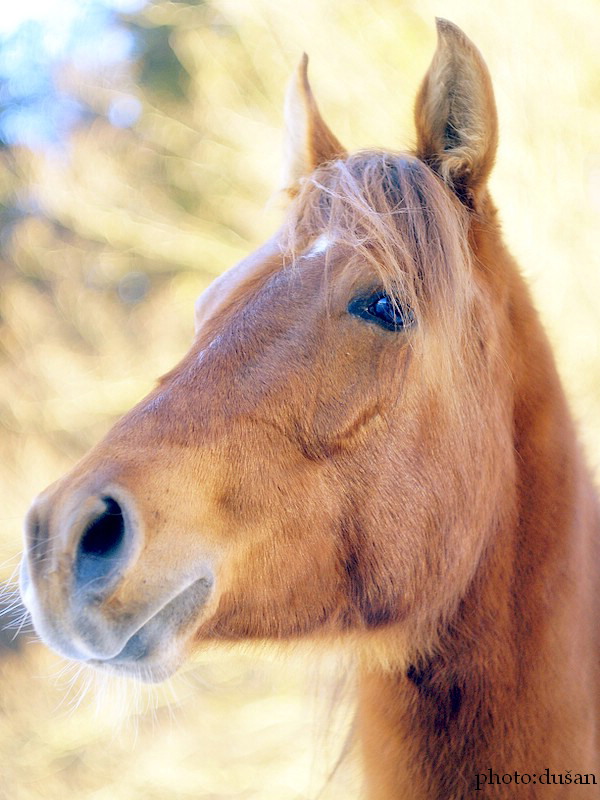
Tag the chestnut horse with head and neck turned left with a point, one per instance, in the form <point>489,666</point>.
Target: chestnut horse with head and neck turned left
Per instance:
<point>367,444</point>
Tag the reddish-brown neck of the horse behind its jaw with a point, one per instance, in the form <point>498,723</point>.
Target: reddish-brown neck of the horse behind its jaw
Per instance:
<point>514,683</point>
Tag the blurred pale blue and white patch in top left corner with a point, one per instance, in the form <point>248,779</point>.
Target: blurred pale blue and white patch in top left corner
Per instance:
<point>43,47</point>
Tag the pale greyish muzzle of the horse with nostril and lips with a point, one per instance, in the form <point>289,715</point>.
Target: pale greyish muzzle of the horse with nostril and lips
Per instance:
<point>98,593</point>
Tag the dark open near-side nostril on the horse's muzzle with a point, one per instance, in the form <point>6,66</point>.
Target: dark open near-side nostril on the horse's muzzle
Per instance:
<point>101,547</point>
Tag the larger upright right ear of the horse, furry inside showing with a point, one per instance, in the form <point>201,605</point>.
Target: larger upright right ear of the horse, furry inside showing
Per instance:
<point>455,115</point>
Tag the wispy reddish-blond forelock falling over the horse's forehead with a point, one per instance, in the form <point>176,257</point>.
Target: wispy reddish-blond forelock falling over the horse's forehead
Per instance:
<point>393,212</point>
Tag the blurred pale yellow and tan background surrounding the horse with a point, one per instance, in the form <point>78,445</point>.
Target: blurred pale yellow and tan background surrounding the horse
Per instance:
<point>139,150</point>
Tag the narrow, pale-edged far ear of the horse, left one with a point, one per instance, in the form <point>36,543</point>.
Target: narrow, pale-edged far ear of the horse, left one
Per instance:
<point>308,141</point>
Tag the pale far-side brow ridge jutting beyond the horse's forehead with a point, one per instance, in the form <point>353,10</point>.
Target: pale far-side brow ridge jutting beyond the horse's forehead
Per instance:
<point>264,260</point>
